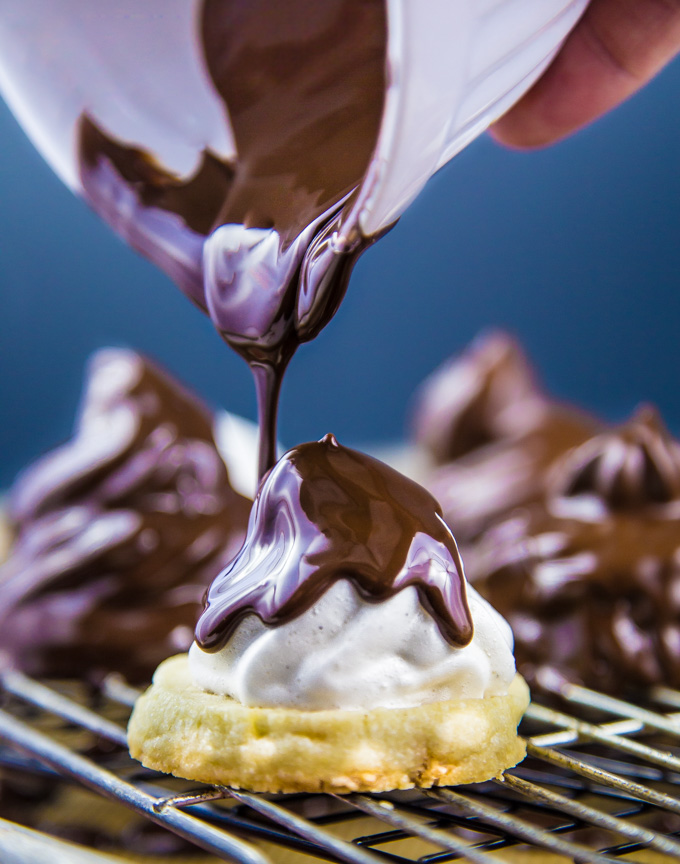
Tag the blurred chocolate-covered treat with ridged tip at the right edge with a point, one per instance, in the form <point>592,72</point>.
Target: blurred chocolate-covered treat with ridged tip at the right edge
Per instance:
<point>589,579</point>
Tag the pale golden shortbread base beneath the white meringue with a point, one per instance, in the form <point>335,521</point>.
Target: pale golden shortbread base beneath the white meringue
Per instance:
<point>179,729</point>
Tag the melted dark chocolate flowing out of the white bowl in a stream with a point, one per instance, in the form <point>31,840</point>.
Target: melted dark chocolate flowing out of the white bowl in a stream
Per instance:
<point>258,244</point>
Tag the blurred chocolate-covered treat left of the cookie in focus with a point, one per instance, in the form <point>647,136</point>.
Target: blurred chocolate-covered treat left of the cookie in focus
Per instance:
<point>119,531</point>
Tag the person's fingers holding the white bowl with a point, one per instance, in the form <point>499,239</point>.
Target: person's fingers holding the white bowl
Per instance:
<point>616,48</point>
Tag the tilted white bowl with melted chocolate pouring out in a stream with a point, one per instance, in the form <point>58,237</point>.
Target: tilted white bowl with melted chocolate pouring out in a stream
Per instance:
<point>340,111</point>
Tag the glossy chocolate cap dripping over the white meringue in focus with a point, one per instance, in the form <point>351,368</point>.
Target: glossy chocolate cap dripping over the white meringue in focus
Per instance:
<point>324,513</point>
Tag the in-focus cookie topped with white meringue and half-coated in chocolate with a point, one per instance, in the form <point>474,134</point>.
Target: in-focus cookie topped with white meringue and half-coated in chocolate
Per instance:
<point>341,650</point>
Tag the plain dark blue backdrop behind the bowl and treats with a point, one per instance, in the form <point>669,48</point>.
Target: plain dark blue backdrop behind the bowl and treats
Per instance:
<point>576,249</point>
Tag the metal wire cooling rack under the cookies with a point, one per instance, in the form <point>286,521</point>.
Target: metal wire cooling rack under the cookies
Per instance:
<point>601,780</point>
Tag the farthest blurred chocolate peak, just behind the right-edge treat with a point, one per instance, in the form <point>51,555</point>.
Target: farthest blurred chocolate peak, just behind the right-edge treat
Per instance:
<point>491,432</point>
